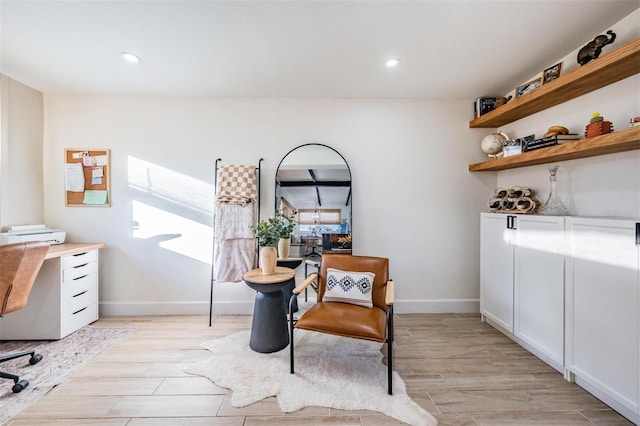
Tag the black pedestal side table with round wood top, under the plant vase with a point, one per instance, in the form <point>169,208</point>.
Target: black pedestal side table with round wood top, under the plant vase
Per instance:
<point>269,331</point>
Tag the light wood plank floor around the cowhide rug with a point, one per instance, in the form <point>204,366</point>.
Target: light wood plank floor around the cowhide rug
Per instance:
<point>461,370</point>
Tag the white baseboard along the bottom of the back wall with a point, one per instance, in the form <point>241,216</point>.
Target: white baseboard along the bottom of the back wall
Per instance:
<point>244,306</point>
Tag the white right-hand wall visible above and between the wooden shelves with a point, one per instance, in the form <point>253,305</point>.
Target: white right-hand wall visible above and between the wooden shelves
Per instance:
<point>598,186</point>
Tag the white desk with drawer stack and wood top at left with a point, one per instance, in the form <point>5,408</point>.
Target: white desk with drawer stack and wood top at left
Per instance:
<point>64,297</point>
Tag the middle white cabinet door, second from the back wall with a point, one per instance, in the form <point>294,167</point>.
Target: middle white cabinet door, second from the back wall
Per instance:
<point>539,286</point>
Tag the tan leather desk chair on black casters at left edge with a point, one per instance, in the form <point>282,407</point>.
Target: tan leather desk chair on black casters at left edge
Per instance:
<point>19,266</point>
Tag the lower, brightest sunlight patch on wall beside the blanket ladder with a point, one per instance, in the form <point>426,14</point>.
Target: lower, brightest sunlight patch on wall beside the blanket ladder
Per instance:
<point>173,232</point>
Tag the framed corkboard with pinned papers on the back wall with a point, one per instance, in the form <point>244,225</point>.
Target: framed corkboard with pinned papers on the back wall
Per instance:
<point>87,174</point>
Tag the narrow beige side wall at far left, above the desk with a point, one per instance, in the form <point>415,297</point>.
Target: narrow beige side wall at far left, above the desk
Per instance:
<point>21,124</point>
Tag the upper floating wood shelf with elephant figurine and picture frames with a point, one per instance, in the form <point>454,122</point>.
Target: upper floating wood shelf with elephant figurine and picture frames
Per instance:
<point>610,68</point>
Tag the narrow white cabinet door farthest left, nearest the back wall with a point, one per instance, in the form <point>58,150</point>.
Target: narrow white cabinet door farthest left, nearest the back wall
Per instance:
<point>496,270</point>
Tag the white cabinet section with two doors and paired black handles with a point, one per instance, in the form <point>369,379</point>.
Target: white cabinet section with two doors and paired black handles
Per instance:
<point>522,281</point>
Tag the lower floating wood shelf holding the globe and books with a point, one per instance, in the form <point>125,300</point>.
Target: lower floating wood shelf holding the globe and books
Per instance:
<point>624,140</point>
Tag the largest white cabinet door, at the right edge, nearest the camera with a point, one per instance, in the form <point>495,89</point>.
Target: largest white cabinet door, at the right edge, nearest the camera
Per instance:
<point>603,329</point>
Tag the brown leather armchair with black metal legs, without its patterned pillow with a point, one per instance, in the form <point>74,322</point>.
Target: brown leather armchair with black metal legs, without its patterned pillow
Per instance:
<point>345,319</point>
